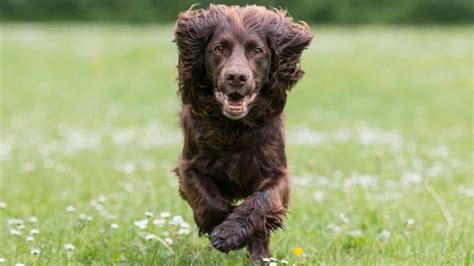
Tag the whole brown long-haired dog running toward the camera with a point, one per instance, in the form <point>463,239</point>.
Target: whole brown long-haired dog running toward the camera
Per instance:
<point>236,65</point>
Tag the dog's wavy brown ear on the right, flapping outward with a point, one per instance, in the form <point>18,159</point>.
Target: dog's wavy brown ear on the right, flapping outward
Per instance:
<point>289,40</point>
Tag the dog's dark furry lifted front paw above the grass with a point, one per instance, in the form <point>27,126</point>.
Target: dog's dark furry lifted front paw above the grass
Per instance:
<point>230,235</point>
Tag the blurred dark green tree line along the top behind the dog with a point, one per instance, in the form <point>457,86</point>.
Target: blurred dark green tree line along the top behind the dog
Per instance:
<point>321,11</point>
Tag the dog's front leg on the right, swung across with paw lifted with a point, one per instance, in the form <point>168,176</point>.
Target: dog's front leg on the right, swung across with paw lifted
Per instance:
<point>251,222</point>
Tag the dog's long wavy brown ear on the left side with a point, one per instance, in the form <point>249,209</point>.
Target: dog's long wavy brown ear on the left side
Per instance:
<point>192,32</point>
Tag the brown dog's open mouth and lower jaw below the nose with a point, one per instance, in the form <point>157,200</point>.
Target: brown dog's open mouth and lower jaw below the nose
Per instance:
<point>234,105</point>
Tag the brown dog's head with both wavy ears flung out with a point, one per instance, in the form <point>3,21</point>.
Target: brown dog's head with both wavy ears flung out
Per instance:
<point>238,61</point>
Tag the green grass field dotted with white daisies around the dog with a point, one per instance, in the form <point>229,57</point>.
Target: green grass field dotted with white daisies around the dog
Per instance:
<point>379,137</point>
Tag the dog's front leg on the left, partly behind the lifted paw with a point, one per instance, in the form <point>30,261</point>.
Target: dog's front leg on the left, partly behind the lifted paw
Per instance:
<point>209,207</point>
